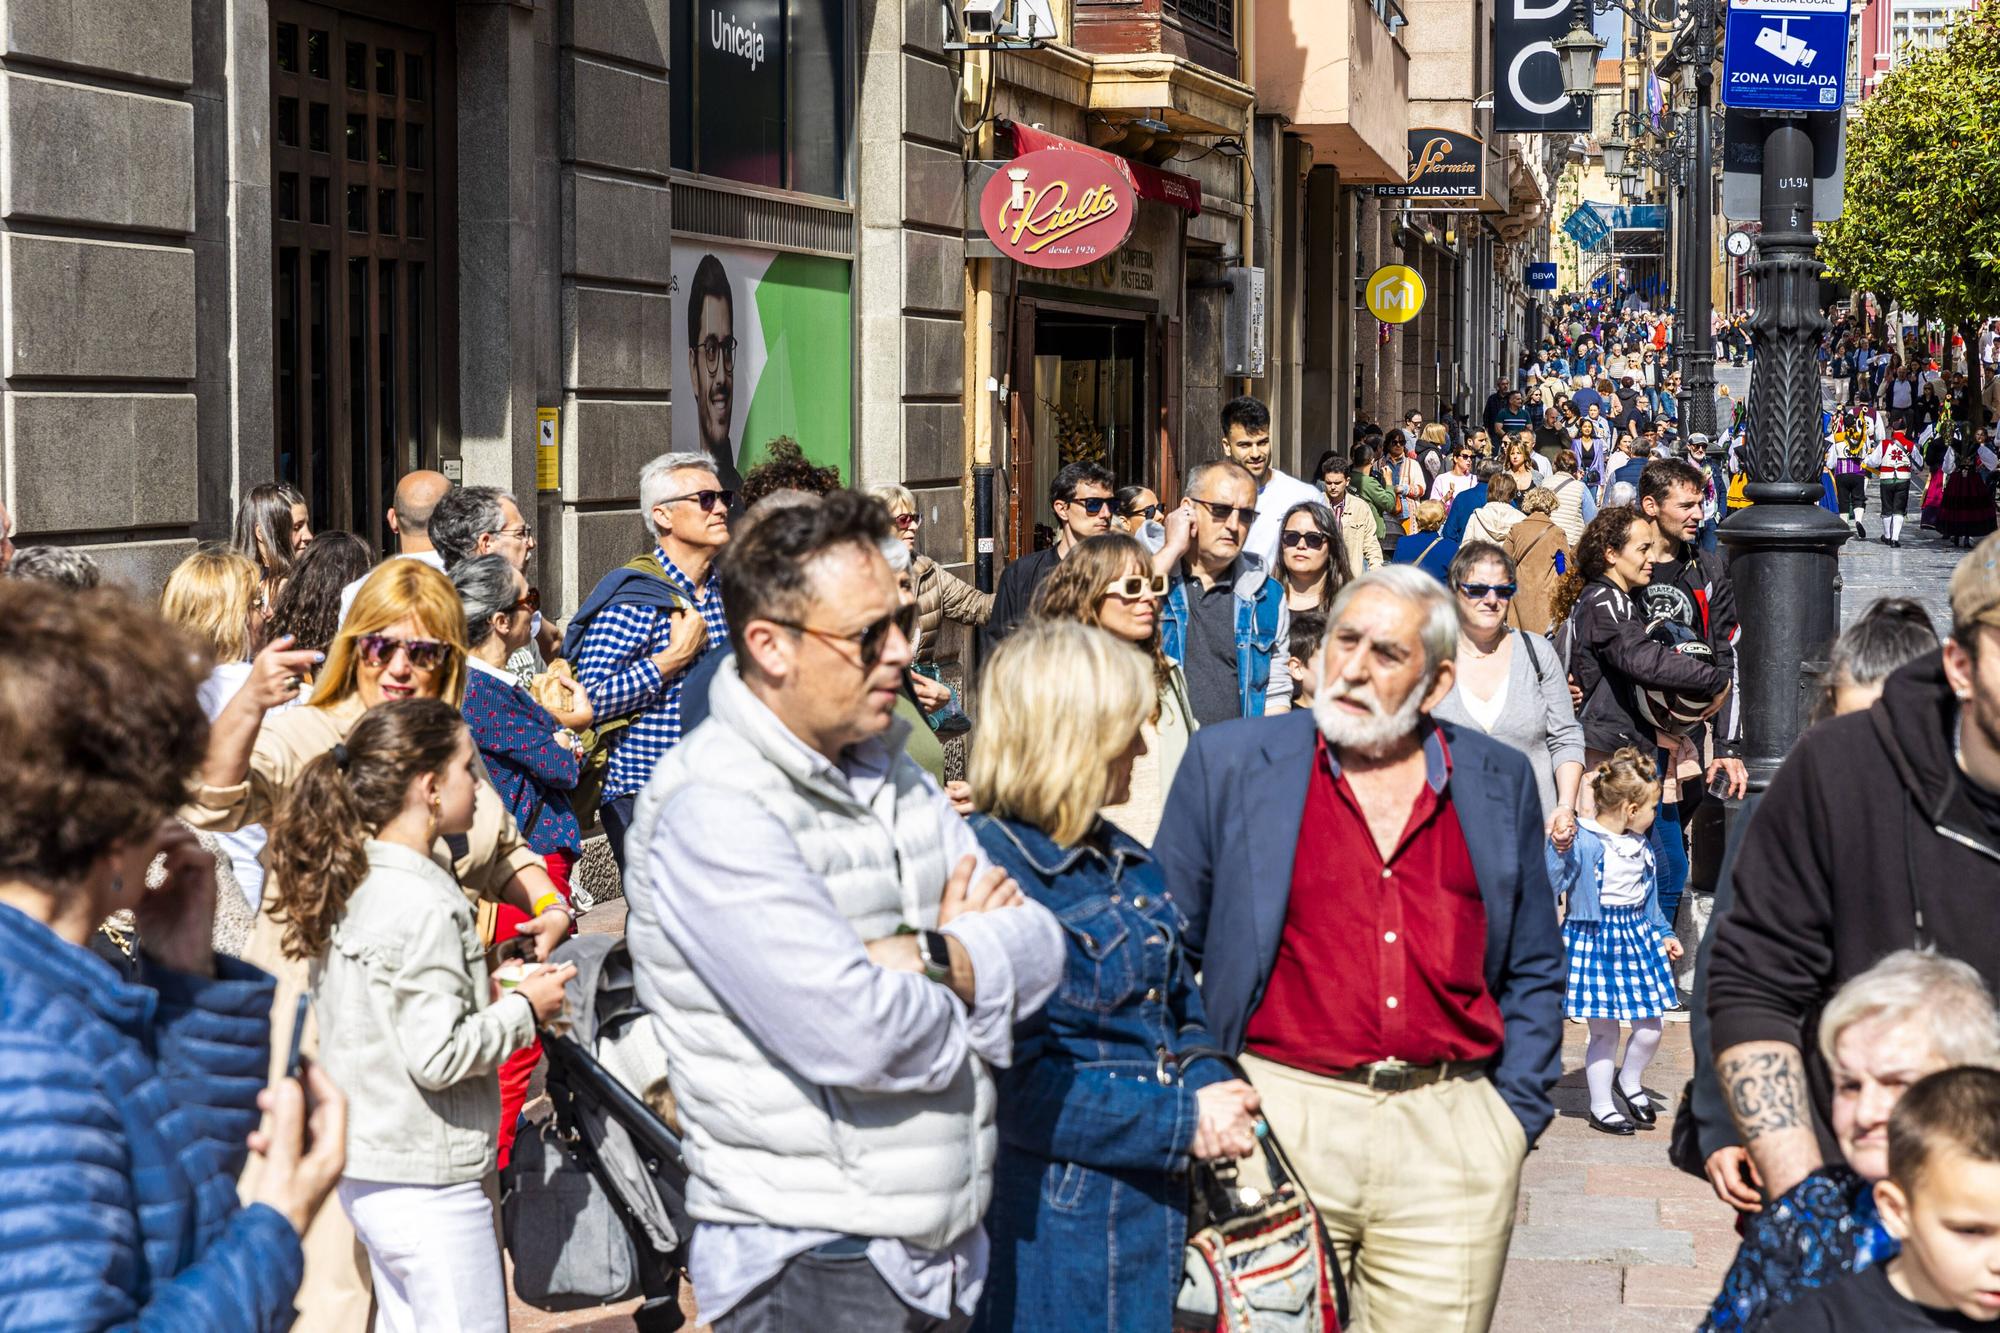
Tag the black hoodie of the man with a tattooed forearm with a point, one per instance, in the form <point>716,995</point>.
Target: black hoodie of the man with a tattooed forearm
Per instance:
<point>1863,846</point>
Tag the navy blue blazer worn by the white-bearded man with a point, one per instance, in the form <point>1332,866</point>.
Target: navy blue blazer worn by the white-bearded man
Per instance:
<point>1227,844</point>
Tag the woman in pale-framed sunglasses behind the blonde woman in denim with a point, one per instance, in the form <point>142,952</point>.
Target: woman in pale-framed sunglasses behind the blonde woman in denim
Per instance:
<point>1109,583</point>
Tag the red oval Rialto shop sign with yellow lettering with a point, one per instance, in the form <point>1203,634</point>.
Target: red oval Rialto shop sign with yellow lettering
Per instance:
<point>1059,209</point>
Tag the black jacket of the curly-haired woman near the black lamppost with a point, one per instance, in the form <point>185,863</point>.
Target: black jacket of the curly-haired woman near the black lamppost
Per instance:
<point>1611,655</point>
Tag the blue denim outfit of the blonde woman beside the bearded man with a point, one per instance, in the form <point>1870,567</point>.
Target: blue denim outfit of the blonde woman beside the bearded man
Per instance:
<point>1097,1114</point>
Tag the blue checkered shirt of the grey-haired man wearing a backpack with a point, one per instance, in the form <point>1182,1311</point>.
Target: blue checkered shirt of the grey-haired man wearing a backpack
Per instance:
<point>617,670</point>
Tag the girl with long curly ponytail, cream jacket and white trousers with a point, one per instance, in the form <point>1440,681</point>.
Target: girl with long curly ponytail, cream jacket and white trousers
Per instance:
<point>407,1026</point>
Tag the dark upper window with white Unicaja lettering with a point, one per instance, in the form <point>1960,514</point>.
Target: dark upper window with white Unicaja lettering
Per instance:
<point>783,101</point>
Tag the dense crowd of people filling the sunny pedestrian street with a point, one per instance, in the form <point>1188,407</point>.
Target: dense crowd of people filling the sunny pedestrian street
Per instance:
<point>945,1040</point>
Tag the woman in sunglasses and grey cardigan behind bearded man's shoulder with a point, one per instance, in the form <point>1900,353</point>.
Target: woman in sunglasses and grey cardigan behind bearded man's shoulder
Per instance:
<point>1513,686</point>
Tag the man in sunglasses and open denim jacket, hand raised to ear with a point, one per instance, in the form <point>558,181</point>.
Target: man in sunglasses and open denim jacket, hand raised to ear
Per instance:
<point>1225,615</point>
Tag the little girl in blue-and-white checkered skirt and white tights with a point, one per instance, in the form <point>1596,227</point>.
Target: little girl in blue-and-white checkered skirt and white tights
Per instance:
<point>1621,948</point>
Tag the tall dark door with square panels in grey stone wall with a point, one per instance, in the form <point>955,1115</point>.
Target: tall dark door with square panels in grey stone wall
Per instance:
<point>355,279</point>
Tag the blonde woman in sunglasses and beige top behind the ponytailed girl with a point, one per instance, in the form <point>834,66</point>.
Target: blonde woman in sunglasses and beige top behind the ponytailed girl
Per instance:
<point>405,637</point>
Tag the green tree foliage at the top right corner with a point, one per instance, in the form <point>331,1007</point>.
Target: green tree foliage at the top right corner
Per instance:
<point>1921,225</point>
